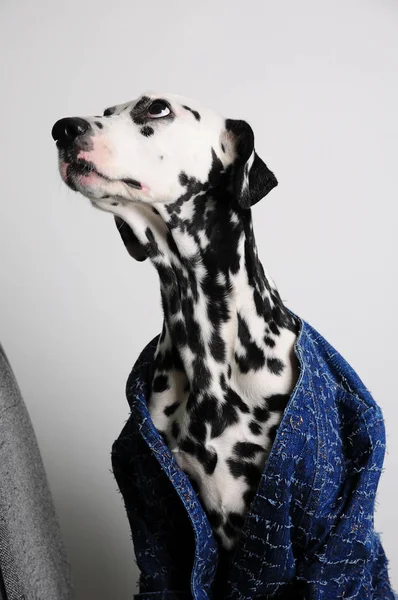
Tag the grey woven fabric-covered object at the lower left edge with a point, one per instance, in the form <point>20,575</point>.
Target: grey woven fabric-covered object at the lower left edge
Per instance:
<point>33,563</point>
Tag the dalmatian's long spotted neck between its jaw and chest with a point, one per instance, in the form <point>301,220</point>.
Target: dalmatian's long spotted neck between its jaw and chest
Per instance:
<point>221,312</point>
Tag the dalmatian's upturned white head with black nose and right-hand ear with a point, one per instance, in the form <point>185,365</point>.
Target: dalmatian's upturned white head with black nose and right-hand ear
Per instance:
<point>157,148</point>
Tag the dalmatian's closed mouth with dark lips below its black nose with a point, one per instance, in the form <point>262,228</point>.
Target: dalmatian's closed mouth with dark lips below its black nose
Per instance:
<point>83,174</point>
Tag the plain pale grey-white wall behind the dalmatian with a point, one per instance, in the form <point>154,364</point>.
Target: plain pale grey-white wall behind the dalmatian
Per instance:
<point>318,83</point>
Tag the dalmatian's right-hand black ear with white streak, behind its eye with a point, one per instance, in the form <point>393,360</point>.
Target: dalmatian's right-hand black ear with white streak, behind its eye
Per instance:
<point>251,178</point>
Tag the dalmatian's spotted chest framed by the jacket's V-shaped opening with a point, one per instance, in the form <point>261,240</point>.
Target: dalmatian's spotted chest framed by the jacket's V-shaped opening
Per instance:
<point>221,441</point>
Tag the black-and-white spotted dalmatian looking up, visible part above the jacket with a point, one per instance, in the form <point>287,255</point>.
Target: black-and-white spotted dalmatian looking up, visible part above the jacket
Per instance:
<point>180,181</point>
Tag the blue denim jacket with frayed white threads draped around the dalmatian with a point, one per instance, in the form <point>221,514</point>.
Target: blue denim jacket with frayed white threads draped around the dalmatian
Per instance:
<point>309,533</point>
